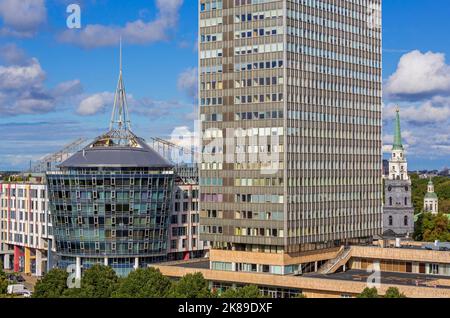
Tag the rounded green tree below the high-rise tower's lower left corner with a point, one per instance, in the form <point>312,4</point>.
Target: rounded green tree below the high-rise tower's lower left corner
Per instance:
<point>191,286</point>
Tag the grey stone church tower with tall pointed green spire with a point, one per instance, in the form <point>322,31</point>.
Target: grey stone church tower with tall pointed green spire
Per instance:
<point>398,211</point>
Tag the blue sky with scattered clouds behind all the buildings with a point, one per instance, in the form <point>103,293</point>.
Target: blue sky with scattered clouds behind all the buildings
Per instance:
<point>57,84</point>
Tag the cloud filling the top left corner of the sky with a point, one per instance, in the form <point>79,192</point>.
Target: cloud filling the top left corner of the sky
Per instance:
<point>22,18</point>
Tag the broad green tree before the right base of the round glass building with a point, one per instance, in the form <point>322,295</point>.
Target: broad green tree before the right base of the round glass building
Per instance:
<point>144,283</point>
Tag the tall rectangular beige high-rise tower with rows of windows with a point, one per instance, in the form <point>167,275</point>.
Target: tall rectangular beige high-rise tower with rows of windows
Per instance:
<point>308,72</point>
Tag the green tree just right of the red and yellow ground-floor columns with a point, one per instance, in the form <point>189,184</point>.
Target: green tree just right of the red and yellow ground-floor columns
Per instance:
<point>52,285</point>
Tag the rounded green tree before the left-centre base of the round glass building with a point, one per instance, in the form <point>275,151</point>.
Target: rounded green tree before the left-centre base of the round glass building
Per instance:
<point>97,282</point>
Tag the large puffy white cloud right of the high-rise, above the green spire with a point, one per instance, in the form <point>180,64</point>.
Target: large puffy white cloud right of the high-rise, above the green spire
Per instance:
<point>420,75</point>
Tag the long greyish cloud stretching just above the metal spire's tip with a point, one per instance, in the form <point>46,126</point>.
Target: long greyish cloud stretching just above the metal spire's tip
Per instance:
<point>136,32</point>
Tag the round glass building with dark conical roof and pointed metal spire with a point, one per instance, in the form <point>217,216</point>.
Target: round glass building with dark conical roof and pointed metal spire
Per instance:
<point>111,201</point>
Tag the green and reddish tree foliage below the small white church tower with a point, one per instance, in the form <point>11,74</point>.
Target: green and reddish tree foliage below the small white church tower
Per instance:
<point>430,228</point>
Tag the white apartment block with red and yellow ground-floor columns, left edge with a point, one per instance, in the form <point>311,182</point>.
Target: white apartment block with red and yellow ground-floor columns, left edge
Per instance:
<point>26,235</point>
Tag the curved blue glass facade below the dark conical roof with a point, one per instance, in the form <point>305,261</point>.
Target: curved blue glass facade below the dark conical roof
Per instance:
<point>112,215</point>
